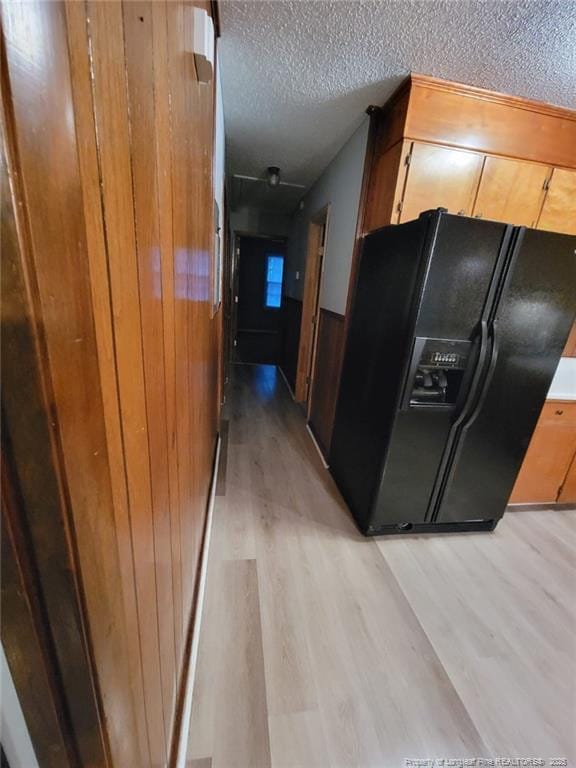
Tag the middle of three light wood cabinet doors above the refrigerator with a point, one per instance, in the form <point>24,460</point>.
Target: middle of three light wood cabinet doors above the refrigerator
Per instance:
<point>511,191</point>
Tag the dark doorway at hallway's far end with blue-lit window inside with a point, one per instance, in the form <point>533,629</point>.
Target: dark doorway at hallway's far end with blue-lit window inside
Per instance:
<point>259,281</point>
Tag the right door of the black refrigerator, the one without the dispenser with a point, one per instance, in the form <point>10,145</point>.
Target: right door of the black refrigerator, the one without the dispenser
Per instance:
<point>532,321</point>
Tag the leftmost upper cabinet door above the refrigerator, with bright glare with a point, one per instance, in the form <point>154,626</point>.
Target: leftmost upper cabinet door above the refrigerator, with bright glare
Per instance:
<point>439,177</point>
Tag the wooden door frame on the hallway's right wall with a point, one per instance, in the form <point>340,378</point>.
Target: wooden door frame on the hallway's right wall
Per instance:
<point>307,346</point>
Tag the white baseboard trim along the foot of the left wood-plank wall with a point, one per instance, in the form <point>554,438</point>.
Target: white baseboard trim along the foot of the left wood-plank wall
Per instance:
<point>182,720</point>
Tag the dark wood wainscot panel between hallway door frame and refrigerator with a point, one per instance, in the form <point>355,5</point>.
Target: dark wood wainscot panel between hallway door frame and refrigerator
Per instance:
<point>328,361</point>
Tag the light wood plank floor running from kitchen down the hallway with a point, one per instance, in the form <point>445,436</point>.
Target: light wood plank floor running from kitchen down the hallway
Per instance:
<point>320,648</point>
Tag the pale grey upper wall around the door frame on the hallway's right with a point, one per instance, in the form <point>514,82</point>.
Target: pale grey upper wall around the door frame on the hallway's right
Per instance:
<point>340,186</point>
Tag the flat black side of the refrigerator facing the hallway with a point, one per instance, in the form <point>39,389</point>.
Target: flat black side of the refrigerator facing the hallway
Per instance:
<point>377,349</point>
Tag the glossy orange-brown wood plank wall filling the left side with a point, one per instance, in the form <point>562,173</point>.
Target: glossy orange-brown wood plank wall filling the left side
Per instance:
<point>109,141</point>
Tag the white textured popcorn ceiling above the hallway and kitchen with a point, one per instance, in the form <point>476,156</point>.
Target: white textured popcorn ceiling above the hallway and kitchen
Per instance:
<point>297,75</point>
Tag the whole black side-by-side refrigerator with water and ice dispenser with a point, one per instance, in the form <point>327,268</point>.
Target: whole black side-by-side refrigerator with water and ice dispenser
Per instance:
<point>456,330</point>
